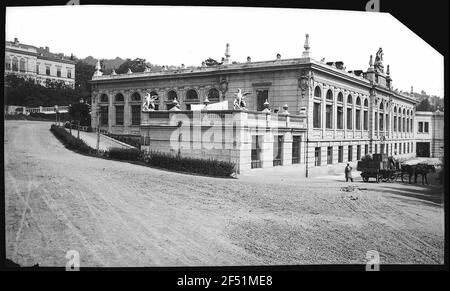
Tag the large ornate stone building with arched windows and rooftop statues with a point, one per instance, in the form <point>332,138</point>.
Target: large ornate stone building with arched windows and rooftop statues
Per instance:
<point>335,116</point>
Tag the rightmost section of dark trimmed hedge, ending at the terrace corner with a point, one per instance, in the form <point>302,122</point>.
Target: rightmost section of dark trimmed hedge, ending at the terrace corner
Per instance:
<point>184,164</point>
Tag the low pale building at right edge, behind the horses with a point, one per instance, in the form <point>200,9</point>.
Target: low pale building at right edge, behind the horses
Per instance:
<point>429,131</point>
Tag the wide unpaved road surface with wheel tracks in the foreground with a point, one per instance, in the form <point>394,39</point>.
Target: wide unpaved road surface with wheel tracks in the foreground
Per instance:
<point>120,214</point>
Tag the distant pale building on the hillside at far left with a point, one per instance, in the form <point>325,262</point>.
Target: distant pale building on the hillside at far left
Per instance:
<point>38,63</point>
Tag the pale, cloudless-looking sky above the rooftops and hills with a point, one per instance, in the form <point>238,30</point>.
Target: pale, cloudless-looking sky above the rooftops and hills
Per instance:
<point>175,35</point>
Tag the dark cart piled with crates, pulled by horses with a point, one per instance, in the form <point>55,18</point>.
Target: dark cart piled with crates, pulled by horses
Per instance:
<point>379,167</point>
